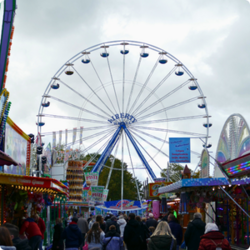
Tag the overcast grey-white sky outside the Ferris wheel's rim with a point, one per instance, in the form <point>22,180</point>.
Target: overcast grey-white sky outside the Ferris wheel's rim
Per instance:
<point>210,37</point>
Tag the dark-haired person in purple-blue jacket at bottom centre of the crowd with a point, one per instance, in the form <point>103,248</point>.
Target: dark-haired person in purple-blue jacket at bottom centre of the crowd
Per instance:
<point>112,240</point>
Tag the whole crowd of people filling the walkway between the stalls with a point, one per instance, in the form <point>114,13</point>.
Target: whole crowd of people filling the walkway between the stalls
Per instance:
<point>120,232</point>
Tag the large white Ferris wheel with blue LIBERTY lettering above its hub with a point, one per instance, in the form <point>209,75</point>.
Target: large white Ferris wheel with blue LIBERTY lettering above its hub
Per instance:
<point>130,97</point>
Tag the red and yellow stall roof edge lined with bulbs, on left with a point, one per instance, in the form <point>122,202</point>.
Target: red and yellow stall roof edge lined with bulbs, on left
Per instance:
<point>34,184</point>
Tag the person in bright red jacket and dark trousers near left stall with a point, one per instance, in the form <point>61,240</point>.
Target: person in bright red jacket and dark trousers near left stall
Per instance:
<point>34,235</point>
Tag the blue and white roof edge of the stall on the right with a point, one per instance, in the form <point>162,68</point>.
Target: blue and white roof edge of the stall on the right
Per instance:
<point>184,184</point>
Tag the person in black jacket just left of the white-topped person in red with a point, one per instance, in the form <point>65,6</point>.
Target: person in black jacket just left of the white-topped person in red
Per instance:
<point>195,230</point>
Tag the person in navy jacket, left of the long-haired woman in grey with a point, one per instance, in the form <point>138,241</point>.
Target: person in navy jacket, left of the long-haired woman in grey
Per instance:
<point>72,235</point>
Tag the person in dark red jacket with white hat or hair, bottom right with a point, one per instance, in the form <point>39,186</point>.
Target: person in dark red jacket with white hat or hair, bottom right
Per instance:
<point>213,239</point>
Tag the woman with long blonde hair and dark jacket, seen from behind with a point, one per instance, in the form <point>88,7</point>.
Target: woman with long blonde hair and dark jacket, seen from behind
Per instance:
<point>162,238</point>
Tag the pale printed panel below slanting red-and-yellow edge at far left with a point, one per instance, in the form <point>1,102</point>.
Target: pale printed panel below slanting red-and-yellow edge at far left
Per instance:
<point>16,148</point>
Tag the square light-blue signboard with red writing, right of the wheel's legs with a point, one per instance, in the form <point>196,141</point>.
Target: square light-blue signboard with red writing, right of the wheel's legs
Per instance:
<point>179,150</point>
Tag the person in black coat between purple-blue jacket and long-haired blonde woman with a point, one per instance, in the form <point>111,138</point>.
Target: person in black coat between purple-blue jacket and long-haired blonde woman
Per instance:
<point>134,234</point>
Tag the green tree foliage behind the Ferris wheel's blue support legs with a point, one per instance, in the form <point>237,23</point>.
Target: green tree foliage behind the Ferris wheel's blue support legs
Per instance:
<point>129,187</point>
